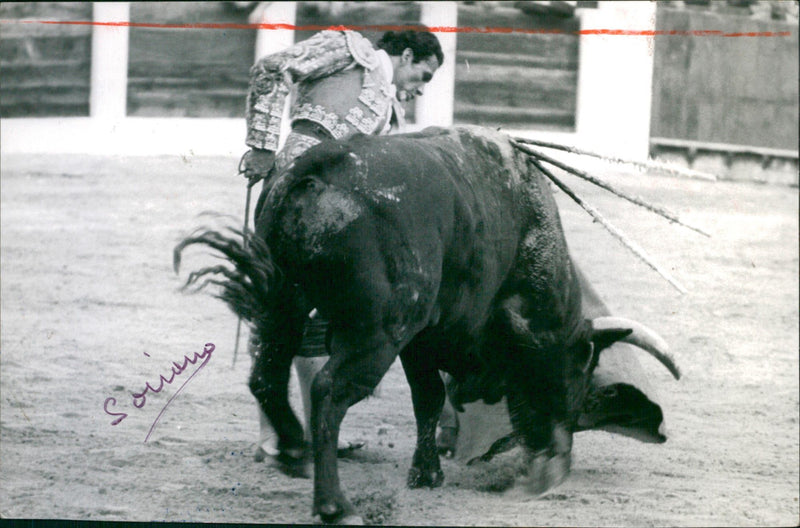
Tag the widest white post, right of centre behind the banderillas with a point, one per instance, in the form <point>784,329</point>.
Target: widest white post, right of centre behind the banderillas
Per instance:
<point>615,80</point>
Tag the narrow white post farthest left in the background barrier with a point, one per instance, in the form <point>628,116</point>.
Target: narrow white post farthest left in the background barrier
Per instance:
<point>109,70</point>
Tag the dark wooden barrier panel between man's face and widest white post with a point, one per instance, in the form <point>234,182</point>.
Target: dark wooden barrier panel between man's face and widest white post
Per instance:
<point>515,79</point>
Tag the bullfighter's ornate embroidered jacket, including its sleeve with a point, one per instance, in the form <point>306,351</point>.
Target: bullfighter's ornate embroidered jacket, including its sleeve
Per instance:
<point>339,83</point>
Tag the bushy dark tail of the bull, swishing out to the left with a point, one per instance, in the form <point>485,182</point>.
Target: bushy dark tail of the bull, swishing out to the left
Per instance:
<point>250,289</point>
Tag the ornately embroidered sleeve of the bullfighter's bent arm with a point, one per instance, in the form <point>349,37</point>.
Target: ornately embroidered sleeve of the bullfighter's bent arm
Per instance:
<point>272,77</point>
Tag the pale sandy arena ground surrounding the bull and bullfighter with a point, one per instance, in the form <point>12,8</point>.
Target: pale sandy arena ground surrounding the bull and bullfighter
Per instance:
<point>90,311</point>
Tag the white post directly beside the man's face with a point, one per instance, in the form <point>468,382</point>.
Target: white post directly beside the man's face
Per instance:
<point>435,107</point>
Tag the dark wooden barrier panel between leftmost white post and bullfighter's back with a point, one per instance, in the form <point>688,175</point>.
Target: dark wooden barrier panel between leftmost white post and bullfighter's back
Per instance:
<point>192,72</point>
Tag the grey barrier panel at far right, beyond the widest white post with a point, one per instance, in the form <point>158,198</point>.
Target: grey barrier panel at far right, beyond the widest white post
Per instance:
<point>725,90</point>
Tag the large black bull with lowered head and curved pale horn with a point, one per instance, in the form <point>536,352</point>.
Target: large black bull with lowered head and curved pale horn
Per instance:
<point>444,247</point>
